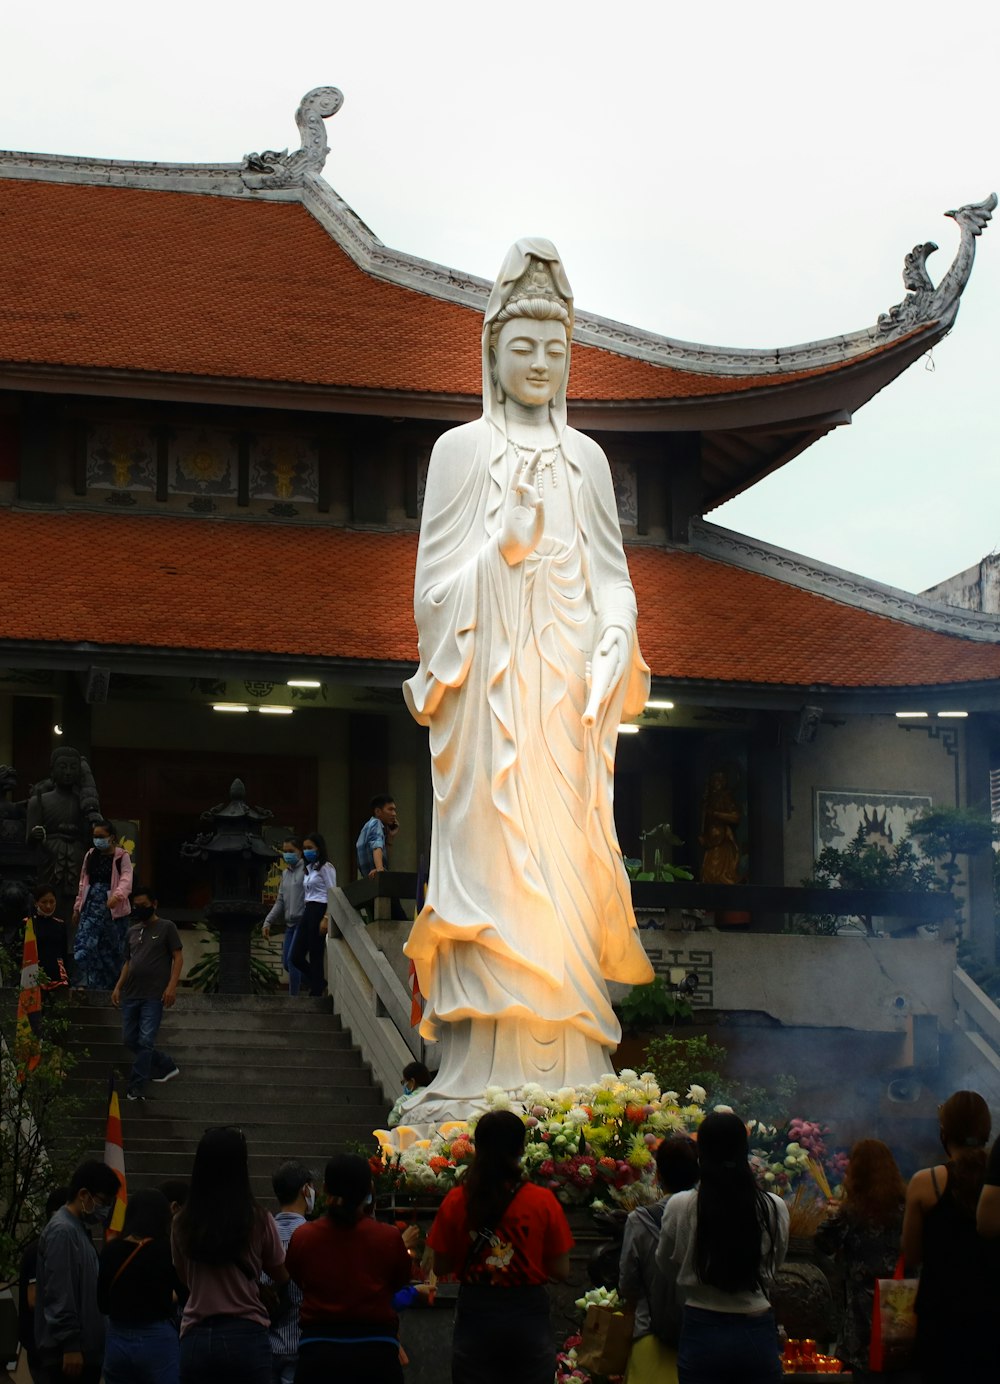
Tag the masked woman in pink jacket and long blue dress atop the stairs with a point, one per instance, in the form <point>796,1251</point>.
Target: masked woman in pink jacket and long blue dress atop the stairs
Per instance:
<point>102,909</point>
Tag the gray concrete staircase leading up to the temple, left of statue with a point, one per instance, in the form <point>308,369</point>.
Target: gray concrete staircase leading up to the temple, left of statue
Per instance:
<point>284,1071</point>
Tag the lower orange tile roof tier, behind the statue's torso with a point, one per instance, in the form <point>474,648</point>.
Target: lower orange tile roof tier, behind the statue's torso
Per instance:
<point>201,586</point>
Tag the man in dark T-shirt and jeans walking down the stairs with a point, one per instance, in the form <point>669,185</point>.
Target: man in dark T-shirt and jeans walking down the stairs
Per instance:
<point>147,987</point>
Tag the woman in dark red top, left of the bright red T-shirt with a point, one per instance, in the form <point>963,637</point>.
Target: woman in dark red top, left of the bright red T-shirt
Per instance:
<point>348,1267</point>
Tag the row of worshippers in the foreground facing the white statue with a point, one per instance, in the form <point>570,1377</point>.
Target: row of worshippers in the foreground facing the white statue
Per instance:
<point>204,1285</point>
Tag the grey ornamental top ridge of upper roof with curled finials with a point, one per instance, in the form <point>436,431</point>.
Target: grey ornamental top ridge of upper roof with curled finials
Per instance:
<point>281,176</point>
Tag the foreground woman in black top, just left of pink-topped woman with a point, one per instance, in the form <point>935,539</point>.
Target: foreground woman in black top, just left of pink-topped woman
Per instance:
<point>136,1292</point>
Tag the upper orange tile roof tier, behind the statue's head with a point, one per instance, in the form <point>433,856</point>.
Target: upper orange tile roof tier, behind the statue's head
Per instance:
<point>189,284</point>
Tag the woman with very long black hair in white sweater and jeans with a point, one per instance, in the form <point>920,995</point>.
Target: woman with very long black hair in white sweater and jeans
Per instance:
<point>728,1241</point>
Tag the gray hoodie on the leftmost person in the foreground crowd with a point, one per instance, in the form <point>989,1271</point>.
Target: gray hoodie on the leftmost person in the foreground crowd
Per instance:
<point>66,1309</point>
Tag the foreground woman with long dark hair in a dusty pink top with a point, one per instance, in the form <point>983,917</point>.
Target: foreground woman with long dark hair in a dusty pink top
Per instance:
<point>222,1242</point>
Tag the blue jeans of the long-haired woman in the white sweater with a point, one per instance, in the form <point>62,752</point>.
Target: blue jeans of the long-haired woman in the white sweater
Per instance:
<point>728,1349</point>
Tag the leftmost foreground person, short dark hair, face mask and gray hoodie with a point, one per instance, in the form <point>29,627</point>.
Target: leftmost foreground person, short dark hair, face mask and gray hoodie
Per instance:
<point>68,1324</point>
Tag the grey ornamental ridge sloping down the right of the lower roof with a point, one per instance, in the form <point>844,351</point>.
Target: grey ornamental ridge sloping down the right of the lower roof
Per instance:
<point>822,579</point>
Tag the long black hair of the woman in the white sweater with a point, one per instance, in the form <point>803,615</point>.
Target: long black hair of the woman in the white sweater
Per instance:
<point>737,1234</point>
